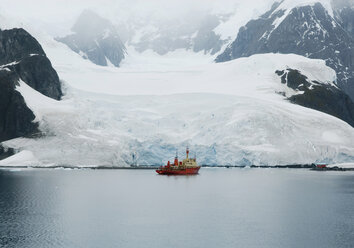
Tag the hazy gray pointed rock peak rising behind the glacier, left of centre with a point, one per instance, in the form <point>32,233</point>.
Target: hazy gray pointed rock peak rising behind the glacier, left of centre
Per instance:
<point>96,39</point>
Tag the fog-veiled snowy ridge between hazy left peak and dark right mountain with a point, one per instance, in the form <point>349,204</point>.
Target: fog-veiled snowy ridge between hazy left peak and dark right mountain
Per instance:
<point>207,31</point>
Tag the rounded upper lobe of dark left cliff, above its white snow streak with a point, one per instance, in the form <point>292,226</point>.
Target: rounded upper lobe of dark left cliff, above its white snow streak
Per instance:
<point>22,53</point>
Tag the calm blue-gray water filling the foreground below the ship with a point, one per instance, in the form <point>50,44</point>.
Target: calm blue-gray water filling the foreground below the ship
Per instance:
<point>136,208</point>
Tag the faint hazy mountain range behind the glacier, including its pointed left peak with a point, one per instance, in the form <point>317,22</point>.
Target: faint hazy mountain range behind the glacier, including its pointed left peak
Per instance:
<point>194,33</point>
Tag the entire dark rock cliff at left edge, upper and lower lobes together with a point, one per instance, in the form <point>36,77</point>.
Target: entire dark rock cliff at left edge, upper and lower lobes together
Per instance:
<point>22,58</point>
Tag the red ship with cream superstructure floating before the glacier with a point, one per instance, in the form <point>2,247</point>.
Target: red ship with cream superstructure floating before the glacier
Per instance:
<point>188,166</point>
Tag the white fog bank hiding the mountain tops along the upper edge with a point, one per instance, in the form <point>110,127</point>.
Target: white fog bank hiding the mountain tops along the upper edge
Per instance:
<point>57,16</point>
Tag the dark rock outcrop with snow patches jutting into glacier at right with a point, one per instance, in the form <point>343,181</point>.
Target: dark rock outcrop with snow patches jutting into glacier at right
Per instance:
<point>322,97</point>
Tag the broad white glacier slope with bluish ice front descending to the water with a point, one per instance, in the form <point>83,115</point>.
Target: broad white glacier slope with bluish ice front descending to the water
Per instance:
<point>143,116</point>
